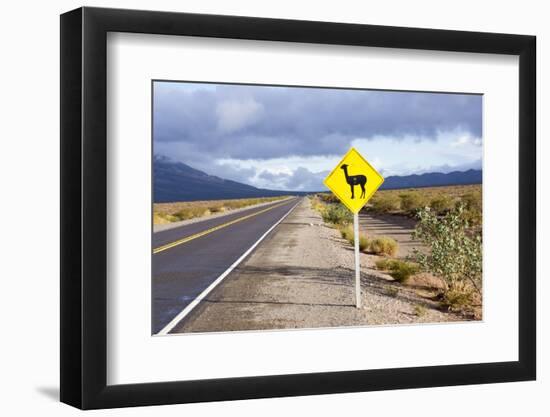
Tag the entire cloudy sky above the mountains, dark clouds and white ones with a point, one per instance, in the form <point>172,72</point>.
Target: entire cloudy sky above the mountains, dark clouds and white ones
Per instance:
<point>290,138</point>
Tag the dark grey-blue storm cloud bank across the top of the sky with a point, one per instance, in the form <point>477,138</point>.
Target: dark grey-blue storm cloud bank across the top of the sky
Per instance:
<point>243,122</point>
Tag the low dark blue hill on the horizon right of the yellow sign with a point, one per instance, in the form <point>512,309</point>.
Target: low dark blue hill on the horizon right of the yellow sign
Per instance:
<point>433,179</point>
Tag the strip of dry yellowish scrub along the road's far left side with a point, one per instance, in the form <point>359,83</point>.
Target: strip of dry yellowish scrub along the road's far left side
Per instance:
<point>174,212</point>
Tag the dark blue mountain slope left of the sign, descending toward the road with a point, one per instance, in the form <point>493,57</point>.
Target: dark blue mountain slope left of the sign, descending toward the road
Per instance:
<point>176,181</point>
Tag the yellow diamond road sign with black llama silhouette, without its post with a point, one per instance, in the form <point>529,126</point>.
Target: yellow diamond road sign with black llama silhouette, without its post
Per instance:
<point>354,180</point>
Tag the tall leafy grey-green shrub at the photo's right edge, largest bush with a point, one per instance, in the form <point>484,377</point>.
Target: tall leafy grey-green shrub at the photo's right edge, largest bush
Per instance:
<point>454,255</point>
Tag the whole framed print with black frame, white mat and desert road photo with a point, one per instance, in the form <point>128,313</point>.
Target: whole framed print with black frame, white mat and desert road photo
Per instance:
<point>259,207</point>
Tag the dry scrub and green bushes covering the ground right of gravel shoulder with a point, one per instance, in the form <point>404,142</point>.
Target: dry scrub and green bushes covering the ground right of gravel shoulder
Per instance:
<point>449,229</point>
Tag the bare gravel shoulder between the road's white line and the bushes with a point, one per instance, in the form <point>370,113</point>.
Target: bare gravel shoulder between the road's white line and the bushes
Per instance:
<point>302,276</point>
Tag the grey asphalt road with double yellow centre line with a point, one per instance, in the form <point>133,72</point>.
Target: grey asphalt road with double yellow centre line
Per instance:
<point>184,271</point>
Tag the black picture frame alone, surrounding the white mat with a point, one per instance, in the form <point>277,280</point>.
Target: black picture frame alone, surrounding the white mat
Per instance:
<point>84,207</point>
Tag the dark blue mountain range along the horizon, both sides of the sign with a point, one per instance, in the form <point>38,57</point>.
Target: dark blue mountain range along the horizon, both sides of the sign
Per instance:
<point>176,181</point>
